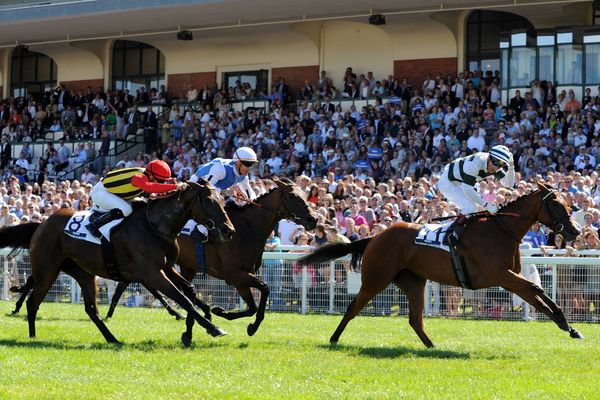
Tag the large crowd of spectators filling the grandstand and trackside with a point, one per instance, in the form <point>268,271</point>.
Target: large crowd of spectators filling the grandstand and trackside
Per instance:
<point>363,169</point>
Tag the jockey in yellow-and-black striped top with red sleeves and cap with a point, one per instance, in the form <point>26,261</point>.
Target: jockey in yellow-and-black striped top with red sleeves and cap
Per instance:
<point>112,194</point>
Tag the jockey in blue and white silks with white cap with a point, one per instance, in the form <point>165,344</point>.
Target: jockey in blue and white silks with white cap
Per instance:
<point>223,174</point>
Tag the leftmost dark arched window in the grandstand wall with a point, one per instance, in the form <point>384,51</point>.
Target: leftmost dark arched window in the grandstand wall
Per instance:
<point>32,73</point>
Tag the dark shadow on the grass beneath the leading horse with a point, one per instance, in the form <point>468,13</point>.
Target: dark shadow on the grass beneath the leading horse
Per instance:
<point>394,352</point>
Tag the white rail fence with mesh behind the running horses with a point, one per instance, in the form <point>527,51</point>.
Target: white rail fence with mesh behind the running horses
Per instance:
<point>571,281</point>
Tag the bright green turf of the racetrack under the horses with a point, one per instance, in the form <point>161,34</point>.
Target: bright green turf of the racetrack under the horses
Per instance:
<point>290,357</point>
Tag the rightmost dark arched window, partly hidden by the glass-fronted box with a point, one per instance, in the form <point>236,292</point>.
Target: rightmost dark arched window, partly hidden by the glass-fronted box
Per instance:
<point>483,36</point>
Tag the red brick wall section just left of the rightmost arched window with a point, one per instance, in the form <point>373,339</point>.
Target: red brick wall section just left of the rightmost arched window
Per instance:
<point>415,70</point>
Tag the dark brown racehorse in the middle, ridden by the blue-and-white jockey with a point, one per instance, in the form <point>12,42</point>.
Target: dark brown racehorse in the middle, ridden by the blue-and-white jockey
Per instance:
<point>237,260</point>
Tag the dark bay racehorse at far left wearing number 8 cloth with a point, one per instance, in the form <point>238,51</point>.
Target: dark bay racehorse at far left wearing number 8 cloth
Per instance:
<point>144,246</point>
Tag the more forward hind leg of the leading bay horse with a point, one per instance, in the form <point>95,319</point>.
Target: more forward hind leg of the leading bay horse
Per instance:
<point>414,288</point>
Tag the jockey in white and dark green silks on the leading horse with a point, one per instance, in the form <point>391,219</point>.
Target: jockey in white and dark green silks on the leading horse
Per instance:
<point>457,182</point>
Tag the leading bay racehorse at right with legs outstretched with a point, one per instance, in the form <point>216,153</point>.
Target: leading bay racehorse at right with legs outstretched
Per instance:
<point>489,246</point>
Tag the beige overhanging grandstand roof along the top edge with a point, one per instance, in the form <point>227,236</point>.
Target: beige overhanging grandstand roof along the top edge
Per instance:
<point>29,22</point>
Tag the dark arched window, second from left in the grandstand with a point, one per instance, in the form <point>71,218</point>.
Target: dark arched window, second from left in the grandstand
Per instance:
<point>137,65</point>
